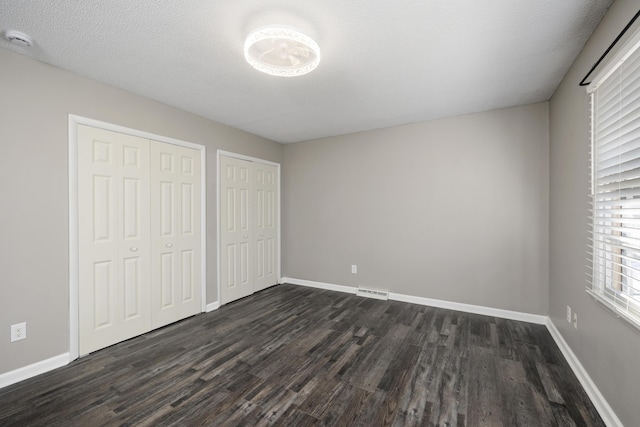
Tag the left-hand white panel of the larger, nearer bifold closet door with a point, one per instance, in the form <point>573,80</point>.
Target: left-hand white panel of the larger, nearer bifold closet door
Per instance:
<point>114,247</point>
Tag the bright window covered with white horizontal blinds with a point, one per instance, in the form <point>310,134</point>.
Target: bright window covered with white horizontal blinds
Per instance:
<point>615,175</point>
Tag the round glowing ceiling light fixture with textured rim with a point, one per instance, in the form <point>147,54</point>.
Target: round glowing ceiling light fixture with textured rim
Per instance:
<point>281,51</point>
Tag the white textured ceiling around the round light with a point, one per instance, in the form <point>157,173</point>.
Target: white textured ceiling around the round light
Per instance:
<point>384,62</point>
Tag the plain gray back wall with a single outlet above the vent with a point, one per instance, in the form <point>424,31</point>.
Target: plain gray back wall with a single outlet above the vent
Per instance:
<point>453,209</point>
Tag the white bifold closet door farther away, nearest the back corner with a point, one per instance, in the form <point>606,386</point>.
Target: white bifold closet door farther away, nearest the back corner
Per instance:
<point>248,227</point>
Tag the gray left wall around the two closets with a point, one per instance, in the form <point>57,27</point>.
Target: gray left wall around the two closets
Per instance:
<point>36,99</point>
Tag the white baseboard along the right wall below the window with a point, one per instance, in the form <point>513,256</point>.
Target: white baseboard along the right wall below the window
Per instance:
<point>608,416</point>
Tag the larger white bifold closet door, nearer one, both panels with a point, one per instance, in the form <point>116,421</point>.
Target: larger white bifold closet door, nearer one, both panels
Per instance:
<point>139,236</point>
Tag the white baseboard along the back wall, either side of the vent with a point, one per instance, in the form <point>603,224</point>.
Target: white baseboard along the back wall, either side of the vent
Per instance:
<point>468,308</point>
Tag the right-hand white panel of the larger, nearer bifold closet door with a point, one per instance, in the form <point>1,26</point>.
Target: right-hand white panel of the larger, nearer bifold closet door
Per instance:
<point>175,229</point>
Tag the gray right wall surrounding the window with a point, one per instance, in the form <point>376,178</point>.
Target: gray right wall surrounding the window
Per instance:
<point>607,347</point>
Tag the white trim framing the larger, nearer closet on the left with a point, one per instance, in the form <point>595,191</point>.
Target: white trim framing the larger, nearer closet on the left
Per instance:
<point>74,121</point>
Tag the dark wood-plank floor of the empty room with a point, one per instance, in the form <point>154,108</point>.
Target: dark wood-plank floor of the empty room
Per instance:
<point>297,356</point>
